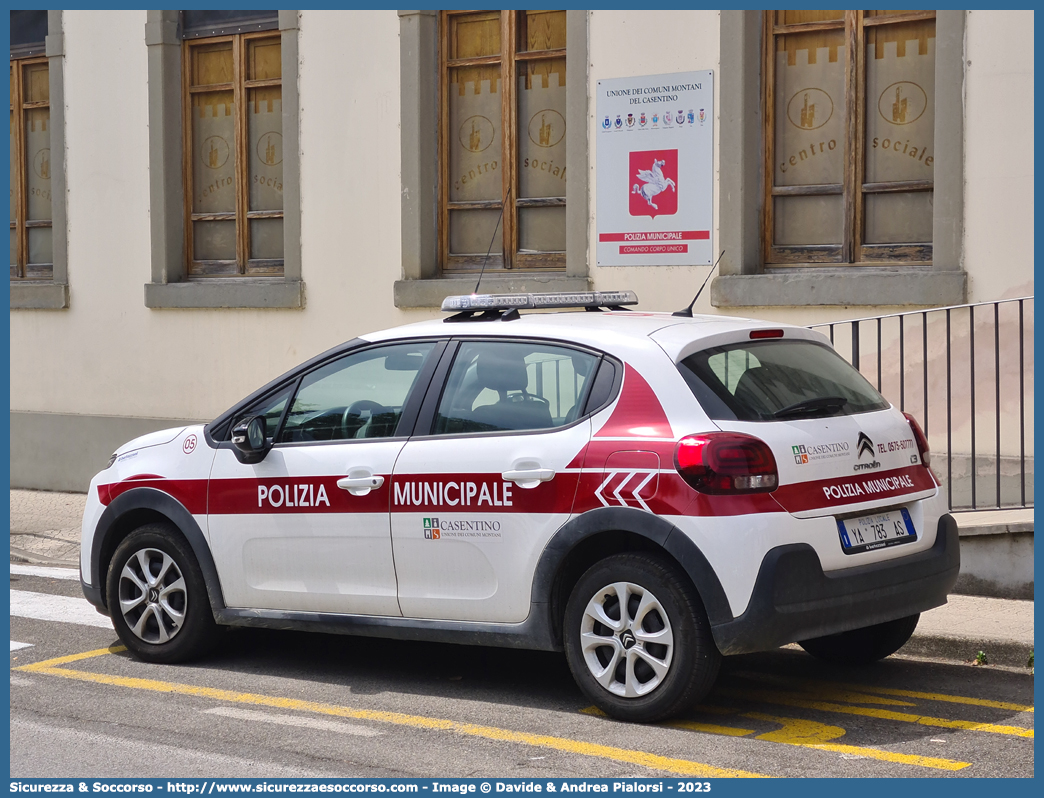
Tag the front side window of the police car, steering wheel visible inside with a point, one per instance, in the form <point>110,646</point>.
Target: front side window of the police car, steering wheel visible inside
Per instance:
<point>361,395</point>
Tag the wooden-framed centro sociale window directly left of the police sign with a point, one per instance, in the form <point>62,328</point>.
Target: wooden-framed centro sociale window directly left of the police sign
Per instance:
<point>503,140</point>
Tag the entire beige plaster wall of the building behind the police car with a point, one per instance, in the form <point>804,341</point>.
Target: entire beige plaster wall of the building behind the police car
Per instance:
<point>108,355</point>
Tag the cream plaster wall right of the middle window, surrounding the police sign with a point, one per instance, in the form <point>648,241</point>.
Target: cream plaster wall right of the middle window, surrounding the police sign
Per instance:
<point>999,155</point>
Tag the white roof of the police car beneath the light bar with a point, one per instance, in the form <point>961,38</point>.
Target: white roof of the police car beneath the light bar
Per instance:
<point>615,332</point>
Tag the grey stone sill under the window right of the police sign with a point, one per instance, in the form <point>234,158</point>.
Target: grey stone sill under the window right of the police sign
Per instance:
<point>852,286</point>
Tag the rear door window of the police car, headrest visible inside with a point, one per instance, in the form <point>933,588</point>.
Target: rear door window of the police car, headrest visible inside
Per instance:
<point>517,386</point>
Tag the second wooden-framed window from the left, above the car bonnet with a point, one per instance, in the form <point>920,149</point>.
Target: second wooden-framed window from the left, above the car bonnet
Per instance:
<point>233,155</point>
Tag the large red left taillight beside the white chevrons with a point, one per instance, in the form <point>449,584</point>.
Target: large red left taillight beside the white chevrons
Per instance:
<point>727,463</point>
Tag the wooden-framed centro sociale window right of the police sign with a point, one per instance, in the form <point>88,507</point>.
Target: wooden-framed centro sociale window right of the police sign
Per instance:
<point>849,136</point>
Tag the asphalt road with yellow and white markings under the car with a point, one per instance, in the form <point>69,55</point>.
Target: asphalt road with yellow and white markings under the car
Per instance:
<point>287,705</point>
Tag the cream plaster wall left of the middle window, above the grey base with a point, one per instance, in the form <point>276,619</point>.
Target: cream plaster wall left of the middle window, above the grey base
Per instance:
<point>109,355</point>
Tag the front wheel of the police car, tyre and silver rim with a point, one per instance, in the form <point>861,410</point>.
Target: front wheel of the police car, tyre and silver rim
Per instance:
<point>157,597</point>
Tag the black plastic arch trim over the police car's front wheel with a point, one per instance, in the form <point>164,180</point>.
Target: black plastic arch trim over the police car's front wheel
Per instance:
<point>174,511</point>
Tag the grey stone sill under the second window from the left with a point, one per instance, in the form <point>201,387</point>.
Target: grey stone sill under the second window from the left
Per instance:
<point>226,294</point>
